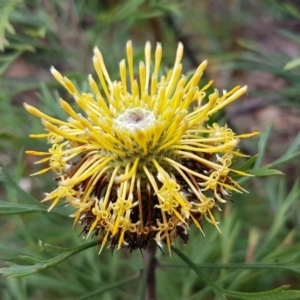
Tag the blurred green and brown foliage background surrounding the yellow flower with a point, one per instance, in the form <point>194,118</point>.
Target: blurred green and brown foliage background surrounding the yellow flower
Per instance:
<point>246,42</point>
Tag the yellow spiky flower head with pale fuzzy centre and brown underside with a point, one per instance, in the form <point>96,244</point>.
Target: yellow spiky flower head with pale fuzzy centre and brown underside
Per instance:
<point>140,162</point>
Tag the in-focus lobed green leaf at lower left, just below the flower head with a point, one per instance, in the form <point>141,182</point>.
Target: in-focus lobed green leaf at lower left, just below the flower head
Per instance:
<point>15,270</point>
